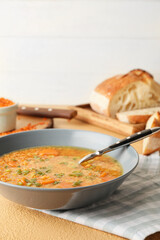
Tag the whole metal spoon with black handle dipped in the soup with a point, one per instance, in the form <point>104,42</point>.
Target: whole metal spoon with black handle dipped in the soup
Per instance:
<point>126,141</point>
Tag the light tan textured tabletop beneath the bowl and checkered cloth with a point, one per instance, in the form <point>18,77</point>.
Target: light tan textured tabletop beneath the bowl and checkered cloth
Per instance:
<point>18,222</point>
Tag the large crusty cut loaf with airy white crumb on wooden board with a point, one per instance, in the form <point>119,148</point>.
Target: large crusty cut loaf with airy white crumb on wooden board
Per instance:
<point>134,90</point>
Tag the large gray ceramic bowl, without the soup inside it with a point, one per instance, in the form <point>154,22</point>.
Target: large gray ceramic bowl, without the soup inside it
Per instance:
<point>70,197</point>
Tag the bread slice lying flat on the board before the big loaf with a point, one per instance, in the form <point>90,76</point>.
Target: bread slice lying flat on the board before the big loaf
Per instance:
<point>137,116</point>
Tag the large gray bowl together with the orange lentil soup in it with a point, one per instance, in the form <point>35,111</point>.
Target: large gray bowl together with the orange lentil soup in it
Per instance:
<point>40,169</point>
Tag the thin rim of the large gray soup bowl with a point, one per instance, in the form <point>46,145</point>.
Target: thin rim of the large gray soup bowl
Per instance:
<point>124,175</point>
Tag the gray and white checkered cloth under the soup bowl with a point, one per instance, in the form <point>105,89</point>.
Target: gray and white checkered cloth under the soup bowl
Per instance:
<point>133,211</point>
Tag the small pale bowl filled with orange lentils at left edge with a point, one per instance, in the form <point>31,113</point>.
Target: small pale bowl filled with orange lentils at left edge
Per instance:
<point>7,114</point>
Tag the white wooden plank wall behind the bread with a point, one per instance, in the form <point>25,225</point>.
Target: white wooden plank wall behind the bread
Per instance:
<point>57,51</point>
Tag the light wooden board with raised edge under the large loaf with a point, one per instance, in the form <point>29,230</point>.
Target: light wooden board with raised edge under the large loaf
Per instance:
<point>86,114</point>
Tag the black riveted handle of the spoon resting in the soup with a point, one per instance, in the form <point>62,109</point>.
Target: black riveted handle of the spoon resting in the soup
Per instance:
<point>131,139</point>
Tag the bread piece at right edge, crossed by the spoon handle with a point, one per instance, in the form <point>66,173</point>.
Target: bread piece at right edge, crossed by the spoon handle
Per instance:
<point>152,143</point>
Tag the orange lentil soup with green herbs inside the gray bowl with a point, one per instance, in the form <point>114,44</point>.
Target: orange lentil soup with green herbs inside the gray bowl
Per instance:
<point>56,167</point>
